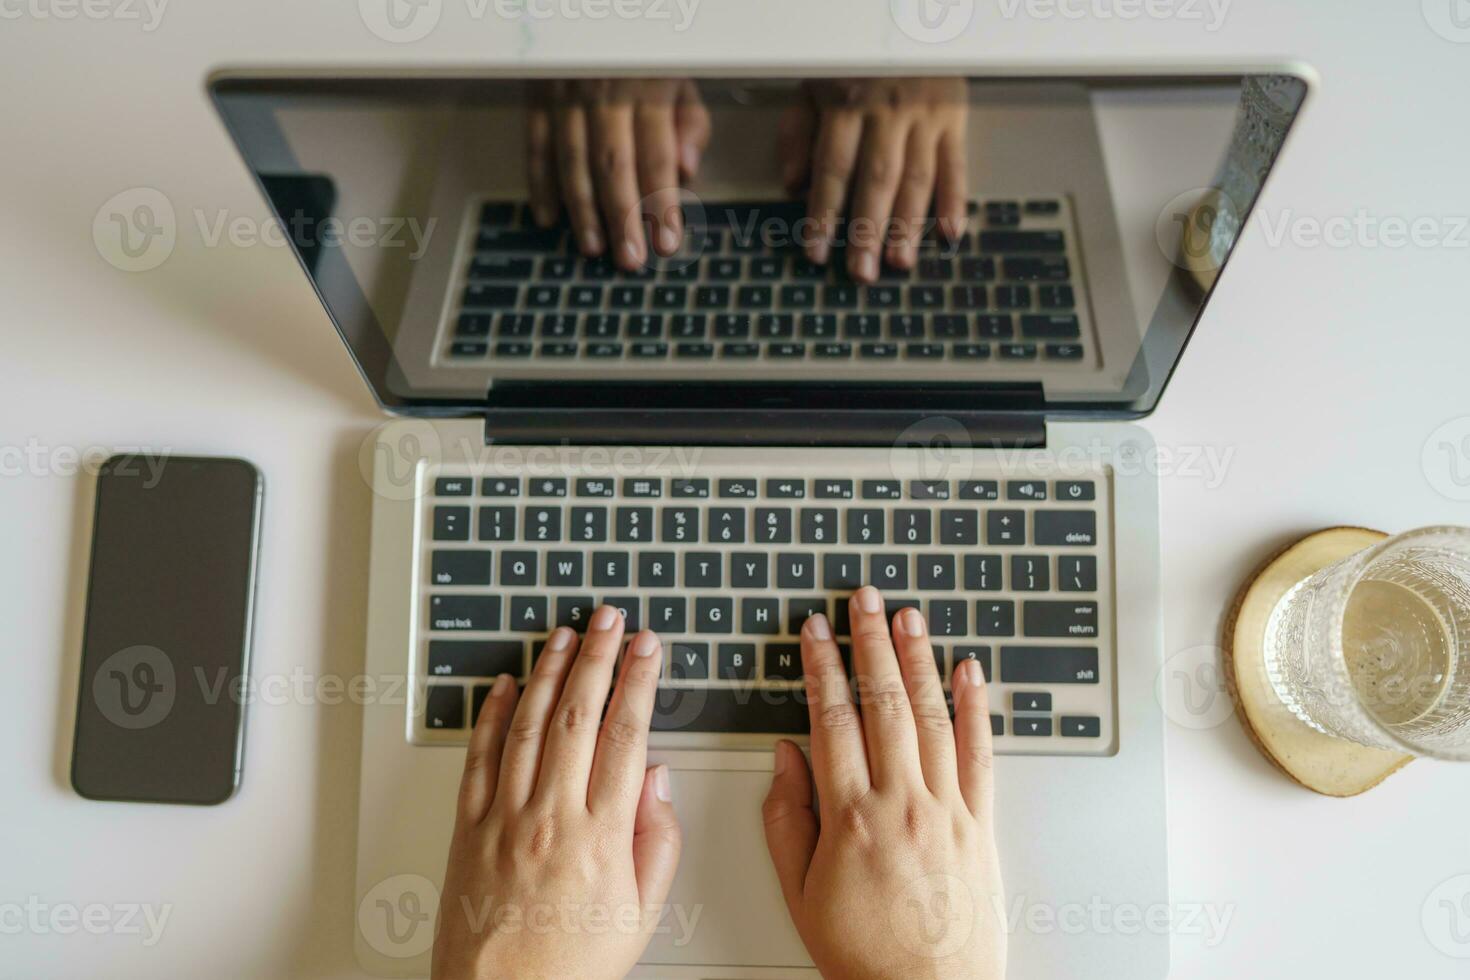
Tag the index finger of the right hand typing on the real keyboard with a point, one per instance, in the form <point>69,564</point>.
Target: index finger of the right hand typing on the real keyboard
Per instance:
<point>837,732</point>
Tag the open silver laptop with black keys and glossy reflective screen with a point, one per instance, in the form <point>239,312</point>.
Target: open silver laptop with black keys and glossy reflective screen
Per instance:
<point>731,439</point>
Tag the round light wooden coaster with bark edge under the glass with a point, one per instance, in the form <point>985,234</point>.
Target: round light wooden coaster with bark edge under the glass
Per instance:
<point>1325,765</point>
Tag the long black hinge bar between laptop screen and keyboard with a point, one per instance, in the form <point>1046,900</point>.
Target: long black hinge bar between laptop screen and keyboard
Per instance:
<point>770,415</point>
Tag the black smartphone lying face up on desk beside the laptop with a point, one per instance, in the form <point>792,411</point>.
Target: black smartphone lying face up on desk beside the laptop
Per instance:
<point>167,641</point>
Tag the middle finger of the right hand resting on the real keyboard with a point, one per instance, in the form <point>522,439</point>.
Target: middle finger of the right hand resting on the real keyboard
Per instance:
<point>889,722</point>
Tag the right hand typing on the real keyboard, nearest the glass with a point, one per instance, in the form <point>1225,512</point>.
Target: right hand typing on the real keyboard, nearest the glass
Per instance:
<point>894,875</point>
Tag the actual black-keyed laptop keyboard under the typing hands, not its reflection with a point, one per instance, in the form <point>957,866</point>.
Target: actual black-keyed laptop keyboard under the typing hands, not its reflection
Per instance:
<point>727,566</point>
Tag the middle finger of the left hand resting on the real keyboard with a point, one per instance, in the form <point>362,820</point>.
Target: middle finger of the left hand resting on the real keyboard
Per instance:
<point>571,741</point>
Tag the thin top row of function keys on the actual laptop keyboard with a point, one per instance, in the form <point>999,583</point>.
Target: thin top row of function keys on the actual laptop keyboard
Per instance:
<point>775,489</point>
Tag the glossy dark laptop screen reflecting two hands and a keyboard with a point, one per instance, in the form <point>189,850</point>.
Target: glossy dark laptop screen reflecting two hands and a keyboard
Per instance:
<point>1047,240</point>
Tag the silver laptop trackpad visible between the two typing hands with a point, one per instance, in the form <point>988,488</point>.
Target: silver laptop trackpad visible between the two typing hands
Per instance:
<point>725,909</point>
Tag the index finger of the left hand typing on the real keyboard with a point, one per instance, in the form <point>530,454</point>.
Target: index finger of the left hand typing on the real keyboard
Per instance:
<point>623,746</point>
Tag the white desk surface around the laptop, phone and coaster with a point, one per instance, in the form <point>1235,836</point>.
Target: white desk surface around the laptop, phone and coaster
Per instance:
<point>1321,371</point>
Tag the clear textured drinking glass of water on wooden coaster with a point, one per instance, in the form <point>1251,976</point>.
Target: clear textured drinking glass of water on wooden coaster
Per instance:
<point>1377,647</point>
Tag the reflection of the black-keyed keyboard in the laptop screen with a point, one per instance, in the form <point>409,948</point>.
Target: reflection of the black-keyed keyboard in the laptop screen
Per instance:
<point>742,295</point>
